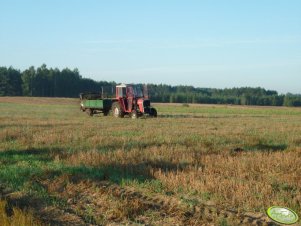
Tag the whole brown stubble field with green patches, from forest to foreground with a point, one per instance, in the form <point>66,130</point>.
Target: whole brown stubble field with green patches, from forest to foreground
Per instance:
<point>193,165</point>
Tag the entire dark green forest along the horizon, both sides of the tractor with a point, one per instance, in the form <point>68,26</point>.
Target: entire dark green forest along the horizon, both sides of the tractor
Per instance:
<point>49,82</point>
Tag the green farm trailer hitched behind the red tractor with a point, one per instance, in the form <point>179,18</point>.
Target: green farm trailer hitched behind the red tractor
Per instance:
<point>94,104</point>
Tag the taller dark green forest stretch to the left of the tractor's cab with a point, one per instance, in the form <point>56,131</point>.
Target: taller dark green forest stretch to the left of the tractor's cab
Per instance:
<point>44,82</point>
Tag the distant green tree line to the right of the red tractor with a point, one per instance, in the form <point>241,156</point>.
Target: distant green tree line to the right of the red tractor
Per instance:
<point>236,96</point>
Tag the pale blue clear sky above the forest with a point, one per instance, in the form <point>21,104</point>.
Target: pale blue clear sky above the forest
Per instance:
<point>204,43</point>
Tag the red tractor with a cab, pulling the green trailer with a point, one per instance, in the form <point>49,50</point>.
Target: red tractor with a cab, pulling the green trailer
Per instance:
<point>132,100</point>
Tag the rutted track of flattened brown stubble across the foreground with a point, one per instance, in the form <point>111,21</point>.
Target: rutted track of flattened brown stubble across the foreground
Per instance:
<point>88,197</point>
